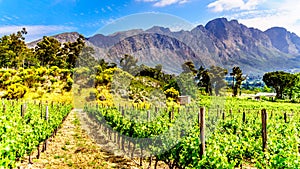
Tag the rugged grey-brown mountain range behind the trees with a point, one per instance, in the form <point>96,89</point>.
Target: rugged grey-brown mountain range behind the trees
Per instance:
<point>220,42</point>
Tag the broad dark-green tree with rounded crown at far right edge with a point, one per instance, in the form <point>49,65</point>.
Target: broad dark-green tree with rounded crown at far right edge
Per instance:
<point>280,81</point>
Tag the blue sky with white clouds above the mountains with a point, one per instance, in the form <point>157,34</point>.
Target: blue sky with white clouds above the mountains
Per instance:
<point>49,17</point>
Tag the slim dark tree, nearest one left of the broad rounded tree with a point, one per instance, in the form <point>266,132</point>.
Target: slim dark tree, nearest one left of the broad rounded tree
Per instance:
<point>237,79</point>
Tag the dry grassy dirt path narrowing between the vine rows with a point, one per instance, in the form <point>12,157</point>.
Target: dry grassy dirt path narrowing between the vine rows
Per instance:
<point>72,147</point>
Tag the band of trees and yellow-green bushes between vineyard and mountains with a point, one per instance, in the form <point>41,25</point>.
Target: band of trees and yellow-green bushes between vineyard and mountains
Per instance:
<point>78,59</point>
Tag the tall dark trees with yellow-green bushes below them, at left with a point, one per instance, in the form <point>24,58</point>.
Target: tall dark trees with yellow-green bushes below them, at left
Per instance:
<point>46,68</point>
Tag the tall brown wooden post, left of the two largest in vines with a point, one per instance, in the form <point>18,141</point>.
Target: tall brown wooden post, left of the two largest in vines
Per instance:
<point>201,121</point>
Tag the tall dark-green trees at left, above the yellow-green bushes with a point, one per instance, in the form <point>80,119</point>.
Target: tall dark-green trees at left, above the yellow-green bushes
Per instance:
<point>14,52</point>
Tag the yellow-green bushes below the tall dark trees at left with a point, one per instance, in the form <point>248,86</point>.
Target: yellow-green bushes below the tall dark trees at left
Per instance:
<point>40,80</point>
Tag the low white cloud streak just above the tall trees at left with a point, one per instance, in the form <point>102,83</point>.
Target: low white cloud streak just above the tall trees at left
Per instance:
<point>36,31</point>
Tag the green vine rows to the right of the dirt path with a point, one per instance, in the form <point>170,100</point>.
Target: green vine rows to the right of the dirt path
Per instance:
<point>234,135</point>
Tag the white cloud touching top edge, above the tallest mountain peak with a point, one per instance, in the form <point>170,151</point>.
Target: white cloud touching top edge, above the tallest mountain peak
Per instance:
<point>227,5</point>
